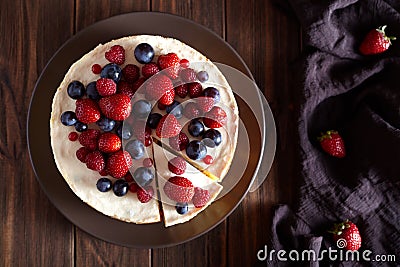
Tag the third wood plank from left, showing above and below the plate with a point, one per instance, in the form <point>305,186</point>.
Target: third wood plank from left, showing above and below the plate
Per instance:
<point>209,249</point>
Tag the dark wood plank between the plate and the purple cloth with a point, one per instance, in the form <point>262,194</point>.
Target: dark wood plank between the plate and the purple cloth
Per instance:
<point>269,41</point>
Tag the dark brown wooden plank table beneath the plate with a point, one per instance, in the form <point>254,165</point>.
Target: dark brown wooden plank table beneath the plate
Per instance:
<point>34,233</point>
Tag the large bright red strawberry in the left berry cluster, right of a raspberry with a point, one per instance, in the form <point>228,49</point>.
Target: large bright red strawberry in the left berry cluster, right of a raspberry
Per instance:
<point>117,107</point>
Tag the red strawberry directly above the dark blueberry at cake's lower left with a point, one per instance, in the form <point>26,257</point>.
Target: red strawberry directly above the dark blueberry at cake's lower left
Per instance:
<point>118,164</point>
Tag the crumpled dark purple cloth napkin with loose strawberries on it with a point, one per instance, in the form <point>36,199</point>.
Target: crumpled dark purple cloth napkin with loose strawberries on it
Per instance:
<point>360,97</point>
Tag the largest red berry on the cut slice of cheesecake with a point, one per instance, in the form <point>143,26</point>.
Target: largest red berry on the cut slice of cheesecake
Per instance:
<point>179,189</point>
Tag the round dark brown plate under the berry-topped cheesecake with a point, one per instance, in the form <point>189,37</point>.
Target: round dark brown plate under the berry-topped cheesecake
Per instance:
<point>82,215</point>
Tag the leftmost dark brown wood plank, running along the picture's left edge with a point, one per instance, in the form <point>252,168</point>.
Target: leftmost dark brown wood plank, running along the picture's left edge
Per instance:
<point>32,232</point>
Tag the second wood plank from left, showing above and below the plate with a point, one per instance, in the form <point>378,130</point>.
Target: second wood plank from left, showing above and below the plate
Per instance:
<point>90,250</point>
